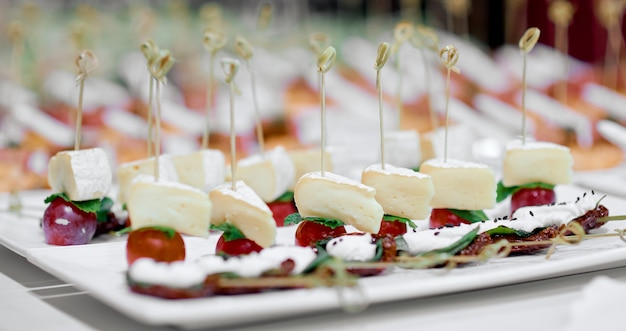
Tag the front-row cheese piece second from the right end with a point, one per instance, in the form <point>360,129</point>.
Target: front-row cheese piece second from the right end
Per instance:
<point>461,184</point>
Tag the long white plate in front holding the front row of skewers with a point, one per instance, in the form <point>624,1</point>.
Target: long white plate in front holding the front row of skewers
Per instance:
<point>100,269</point>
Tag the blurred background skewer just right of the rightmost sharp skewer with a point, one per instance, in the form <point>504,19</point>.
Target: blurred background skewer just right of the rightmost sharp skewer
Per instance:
<point>560,13</point>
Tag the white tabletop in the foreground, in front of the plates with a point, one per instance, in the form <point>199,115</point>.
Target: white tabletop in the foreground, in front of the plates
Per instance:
<point>26,291</point>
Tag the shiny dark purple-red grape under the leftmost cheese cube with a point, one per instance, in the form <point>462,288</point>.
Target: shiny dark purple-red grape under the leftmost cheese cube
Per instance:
<point>64,224</point>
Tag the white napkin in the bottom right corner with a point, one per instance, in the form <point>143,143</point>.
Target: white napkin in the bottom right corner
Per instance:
<point>600,306</point>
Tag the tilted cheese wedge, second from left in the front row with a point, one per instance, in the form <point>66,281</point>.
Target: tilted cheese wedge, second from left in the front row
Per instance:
<point>244,209</point>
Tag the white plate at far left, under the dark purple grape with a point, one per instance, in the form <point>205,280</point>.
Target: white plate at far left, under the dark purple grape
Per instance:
<point>21,232</point>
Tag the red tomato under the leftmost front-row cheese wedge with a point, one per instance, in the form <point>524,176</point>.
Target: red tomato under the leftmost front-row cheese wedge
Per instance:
<point>156,244</point>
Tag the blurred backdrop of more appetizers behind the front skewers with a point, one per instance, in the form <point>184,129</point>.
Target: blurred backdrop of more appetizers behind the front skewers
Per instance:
<point>575,77</point>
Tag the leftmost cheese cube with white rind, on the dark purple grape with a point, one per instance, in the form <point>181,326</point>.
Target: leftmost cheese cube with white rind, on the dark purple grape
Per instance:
<point>82,175</point>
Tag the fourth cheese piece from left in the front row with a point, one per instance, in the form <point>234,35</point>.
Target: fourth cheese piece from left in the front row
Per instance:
<point>400,191</point>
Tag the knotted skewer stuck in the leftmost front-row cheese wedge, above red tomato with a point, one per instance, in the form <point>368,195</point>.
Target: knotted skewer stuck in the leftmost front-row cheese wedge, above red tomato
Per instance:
<point>159,69</point>
